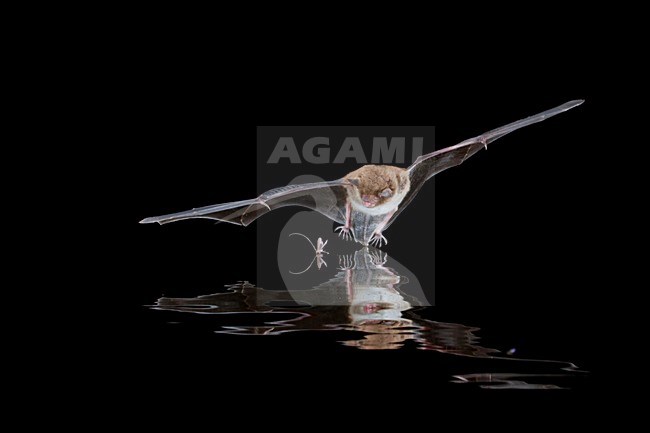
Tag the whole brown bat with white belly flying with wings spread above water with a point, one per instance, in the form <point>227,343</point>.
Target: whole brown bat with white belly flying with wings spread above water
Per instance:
<point>366,201</point>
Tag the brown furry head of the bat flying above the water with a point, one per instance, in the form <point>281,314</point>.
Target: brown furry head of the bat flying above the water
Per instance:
<point>376,185</point>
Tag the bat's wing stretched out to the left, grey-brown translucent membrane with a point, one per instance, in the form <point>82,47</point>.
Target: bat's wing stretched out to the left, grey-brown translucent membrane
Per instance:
<point>328,198</point>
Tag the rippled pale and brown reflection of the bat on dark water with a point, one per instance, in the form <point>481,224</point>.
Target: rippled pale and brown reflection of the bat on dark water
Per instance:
<point>364,296</point>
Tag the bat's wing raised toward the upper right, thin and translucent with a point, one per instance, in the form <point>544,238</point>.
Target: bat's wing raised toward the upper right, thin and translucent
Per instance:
<point>427,166</point>
